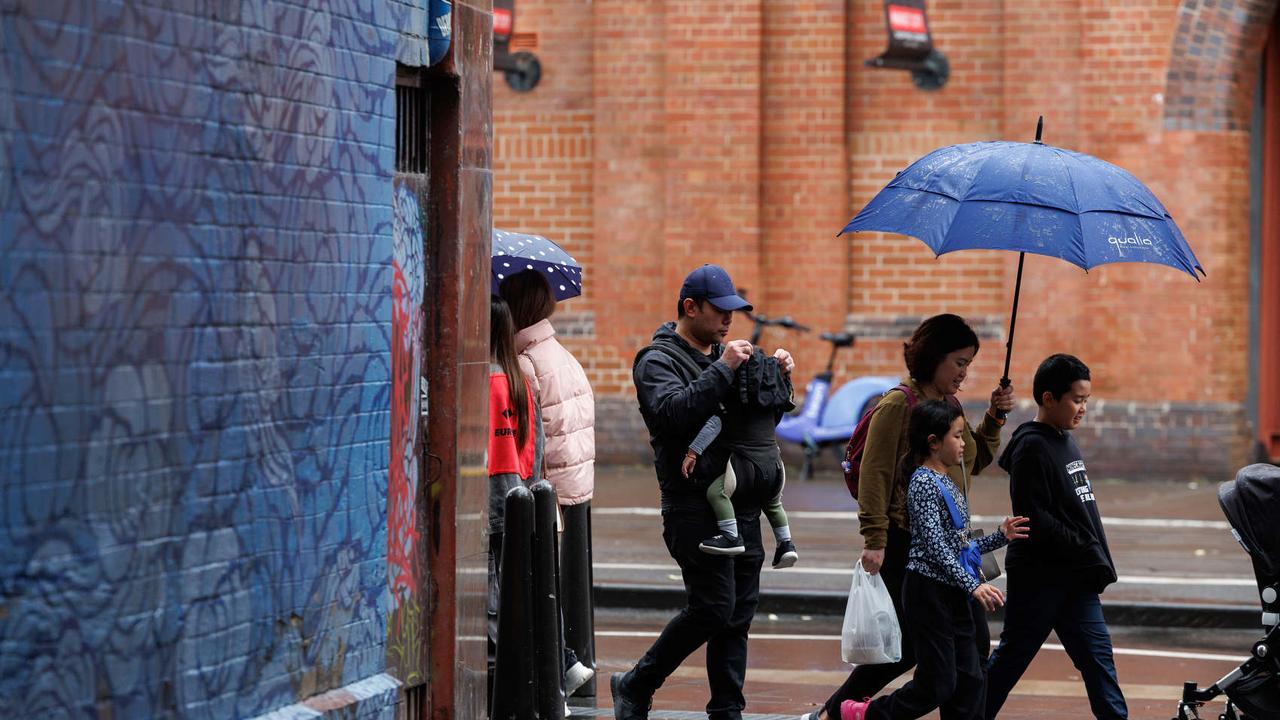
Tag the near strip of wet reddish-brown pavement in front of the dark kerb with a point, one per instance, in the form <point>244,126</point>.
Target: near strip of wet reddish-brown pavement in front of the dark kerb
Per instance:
<point>796,664</point>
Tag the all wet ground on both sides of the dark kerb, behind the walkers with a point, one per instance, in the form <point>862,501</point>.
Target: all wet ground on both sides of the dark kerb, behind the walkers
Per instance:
<point>1171,543</point>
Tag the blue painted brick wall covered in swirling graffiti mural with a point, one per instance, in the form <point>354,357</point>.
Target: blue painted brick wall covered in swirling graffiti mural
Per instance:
<point>196,268</point>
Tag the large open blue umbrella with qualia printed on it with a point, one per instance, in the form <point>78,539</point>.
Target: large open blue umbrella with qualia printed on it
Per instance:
<point>1031,198</point>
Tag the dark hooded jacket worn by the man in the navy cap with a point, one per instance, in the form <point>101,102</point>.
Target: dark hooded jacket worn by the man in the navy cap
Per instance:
<point>679,390</point>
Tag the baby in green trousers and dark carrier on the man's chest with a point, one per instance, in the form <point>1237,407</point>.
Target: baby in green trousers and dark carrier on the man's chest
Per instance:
<point>762,395</point>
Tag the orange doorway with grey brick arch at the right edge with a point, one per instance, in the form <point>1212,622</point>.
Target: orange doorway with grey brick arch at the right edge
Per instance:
<point>1214,71</point>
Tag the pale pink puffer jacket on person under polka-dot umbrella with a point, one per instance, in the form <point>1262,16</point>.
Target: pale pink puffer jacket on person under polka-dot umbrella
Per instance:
<point>569,412</point>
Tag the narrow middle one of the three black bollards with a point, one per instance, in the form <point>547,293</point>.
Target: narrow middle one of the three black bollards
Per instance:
<point>550,655</point>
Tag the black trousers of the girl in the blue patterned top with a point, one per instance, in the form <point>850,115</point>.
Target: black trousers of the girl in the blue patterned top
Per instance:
<point>948,671</point>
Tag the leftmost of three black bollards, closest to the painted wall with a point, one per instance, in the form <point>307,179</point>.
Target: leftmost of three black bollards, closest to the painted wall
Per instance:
<point>514,691</point>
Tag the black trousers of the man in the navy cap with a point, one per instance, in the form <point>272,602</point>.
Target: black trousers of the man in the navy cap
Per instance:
<point>723,598</point>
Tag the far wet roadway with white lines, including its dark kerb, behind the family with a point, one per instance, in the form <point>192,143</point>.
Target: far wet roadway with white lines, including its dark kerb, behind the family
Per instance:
<point>1177,559</point>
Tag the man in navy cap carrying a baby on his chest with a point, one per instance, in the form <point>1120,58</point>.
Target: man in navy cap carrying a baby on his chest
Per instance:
<point>682,380</point>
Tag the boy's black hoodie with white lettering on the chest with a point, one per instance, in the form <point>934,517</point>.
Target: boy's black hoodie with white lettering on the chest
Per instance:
<point>1049,485</point>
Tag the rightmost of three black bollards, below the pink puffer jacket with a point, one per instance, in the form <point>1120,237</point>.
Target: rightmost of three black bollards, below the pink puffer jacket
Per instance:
<point>577,584</point>
